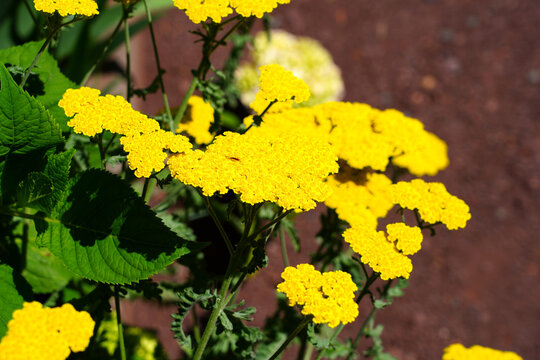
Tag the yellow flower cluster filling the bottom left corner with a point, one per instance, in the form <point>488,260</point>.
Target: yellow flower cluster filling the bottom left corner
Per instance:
<point>35,332</point>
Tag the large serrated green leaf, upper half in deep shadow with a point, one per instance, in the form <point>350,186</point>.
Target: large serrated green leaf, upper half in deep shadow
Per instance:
<point>102,230</point>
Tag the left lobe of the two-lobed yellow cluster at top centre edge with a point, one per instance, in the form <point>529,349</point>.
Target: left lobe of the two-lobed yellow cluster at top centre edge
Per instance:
<point>200,10</point>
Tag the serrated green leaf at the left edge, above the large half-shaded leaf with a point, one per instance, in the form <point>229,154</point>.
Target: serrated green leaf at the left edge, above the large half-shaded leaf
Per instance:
<point>25,125</point>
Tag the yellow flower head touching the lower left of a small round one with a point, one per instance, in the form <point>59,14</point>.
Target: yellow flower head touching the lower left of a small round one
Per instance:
<point>379,252</point>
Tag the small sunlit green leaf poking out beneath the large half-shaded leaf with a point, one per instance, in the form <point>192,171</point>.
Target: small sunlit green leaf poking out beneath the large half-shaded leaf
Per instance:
<point>44,271</point>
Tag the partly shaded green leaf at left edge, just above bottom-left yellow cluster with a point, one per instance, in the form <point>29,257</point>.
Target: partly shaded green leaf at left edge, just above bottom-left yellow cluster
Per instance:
<point>13,291</point>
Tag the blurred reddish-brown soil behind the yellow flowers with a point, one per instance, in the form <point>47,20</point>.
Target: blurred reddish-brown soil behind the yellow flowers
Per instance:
<point>470,70</point>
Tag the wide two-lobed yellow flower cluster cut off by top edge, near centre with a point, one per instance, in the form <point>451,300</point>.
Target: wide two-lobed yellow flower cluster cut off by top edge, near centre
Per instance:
<point>201,10</point>
